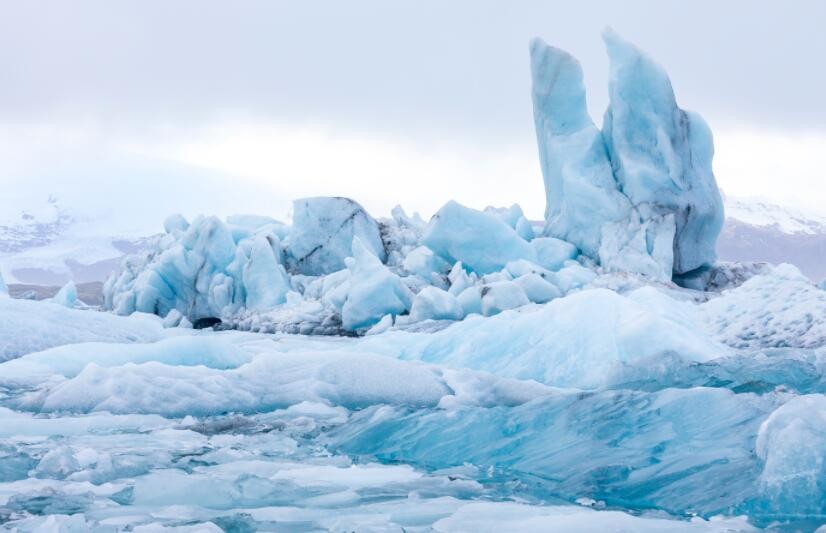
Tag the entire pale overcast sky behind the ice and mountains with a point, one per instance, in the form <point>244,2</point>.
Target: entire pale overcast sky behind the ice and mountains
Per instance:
<point>206,106</point>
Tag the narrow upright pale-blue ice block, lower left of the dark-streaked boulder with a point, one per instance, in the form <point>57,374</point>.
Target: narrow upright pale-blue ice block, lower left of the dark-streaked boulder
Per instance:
<point>265,280</point>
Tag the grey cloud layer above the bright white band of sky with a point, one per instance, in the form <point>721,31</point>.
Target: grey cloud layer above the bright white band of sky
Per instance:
<point>422,69</point>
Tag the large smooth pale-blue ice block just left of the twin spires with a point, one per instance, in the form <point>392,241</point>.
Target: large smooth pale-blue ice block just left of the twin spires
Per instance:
<point>481,241</point>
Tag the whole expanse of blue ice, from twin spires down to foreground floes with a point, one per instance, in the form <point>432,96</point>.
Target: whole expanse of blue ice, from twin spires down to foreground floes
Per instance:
<point>477,371</point>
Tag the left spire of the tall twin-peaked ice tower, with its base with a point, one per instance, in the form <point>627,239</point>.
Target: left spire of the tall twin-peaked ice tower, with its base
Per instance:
<point>584,204</point>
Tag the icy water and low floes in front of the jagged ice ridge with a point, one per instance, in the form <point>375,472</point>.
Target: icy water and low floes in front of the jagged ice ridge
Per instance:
<point>402,431</point>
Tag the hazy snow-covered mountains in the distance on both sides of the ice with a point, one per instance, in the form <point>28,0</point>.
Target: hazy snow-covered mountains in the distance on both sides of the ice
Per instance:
<point>49,244</point>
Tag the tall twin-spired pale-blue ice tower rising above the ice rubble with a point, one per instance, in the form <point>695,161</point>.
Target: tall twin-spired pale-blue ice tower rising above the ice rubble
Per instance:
<point>639,196</point>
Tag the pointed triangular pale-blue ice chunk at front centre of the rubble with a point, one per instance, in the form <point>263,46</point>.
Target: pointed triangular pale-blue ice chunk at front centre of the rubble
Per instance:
<point>374,291</point>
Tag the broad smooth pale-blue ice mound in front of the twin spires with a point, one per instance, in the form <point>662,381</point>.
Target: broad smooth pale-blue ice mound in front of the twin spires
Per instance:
<point>585,340</point>
